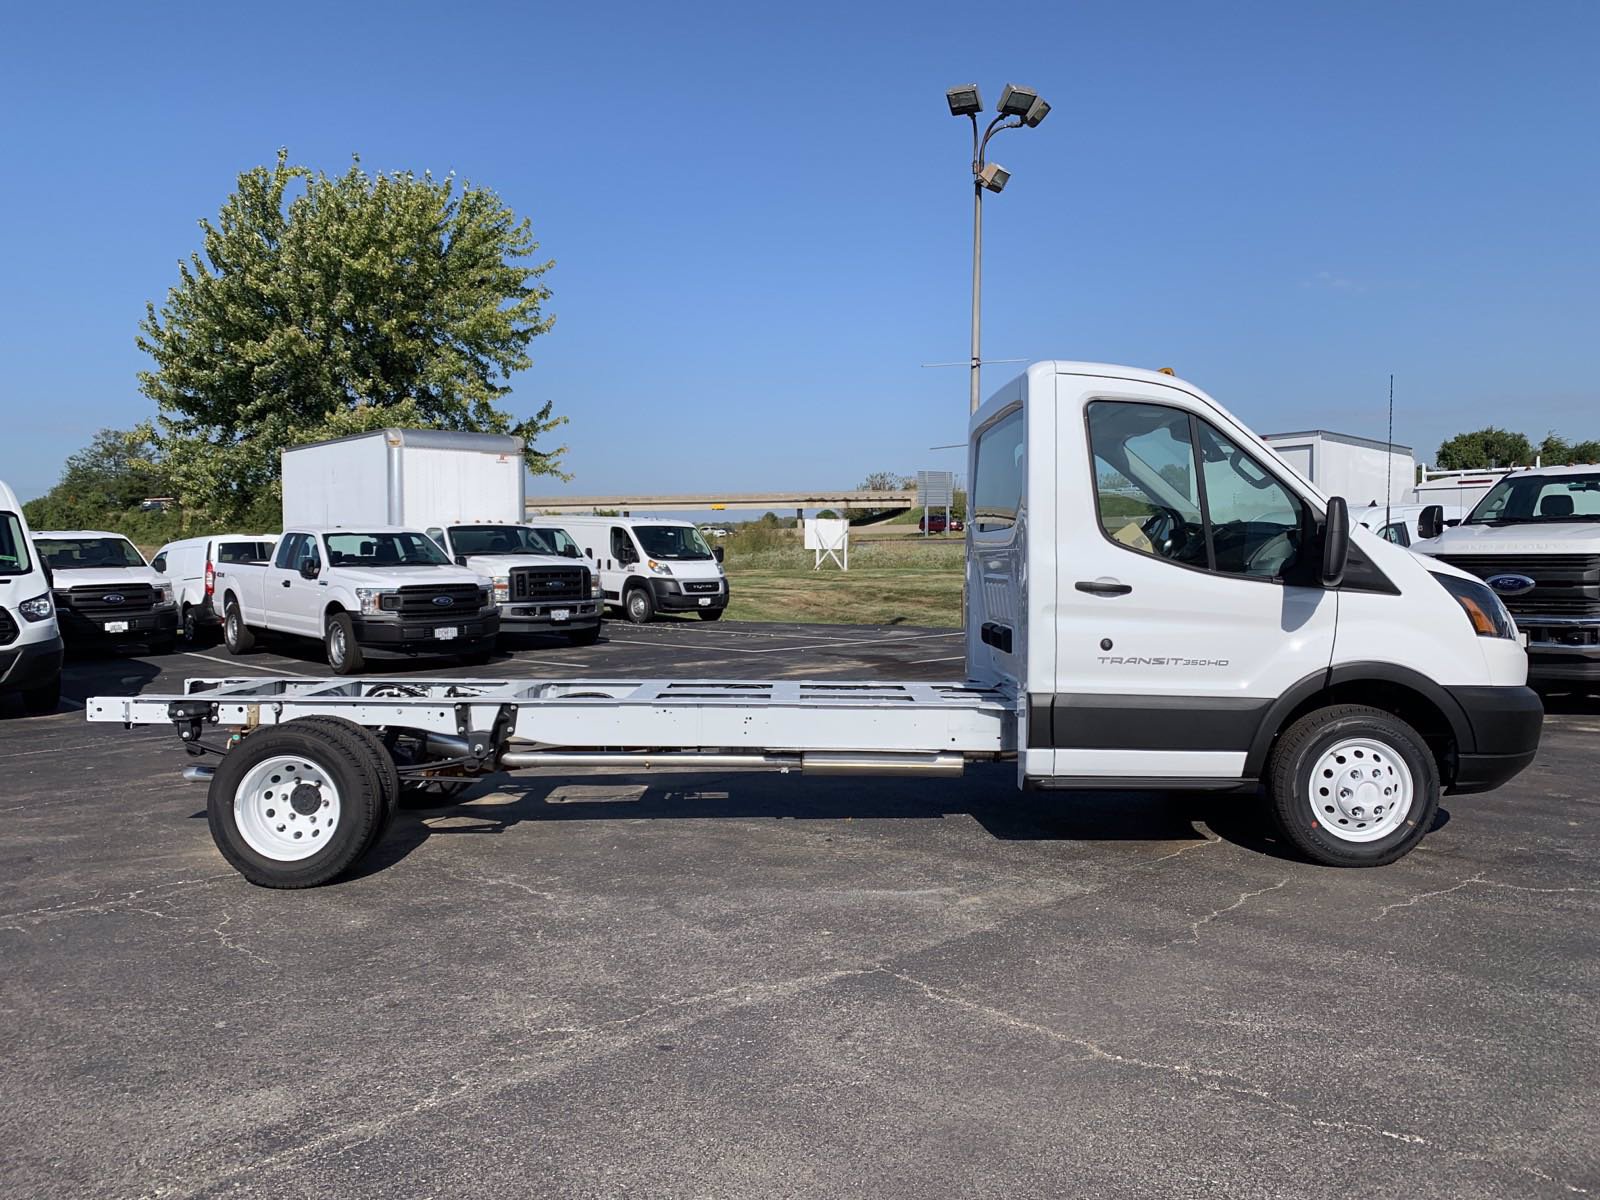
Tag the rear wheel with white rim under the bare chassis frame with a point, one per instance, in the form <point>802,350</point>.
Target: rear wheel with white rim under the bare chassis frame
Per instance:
<point>265,828</point>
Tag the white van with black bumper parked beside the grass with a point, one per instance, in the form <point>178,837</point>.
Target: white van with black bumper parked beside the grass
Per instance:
<point>649,566</point>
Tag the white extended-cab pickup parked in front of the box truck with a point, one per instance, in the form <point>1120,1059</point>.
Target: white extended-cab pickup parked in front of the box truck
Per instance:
<point>361,591</point>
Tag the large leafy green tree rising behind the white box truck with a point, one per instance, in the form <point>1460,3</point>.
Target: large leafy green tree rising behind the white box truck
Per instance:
<point>329,306</point>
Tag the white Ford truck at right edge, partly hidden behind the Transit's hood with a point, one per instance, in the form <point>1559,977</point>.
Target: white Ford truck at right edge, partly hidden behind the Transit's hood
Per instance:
<point>1535,538</point>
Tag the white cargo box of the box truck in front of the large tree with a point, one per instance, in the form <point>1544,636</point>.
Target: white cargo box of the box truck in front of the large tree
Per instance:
<point>406,478</point>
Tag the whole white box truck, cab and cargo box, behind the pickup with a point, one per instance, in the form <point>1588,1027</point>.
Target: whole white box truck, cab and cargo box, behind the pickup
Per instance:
<point>468,492</point>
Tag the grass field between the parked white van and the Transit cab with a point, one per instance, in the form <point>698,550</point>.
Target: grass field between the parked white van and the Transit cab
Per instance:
<point>889,583</point>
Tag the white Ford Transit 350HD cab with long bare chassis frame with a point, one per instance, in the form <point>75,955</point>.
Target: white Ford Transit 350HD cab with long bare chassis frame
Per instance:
<point>1154,602</point>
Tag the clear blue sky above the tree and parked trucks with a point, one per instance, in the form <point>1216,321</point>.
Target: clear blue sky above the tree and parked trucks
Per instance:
<point>761,215</point>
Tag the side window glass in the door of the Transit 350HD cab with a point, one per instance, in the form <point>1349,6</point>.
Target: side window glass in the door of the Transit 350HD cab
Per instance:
<point>1174,487</point>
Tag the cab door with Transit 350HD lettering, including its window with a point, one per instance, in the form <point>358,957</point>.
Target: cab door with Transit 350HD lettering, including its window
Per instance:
<point>1182,614</point>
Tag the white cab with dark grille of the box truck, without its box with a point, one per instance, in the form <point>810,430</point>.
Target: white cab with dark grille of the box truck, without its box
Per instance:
<point>542,582</point>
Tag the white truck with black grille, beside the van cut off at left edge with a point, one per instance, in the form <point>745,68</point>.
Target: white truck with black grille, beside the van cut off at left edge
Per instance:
<point>105,591</point>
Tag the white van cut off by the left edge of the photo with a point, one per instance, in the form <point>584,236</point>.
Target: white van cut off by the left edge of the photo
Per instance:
<point>30,638</point>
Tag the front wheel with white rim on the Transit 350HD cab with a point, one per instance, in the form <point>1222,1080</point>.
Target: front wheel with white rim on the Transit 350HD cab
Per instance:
<point>1327,782</point>
